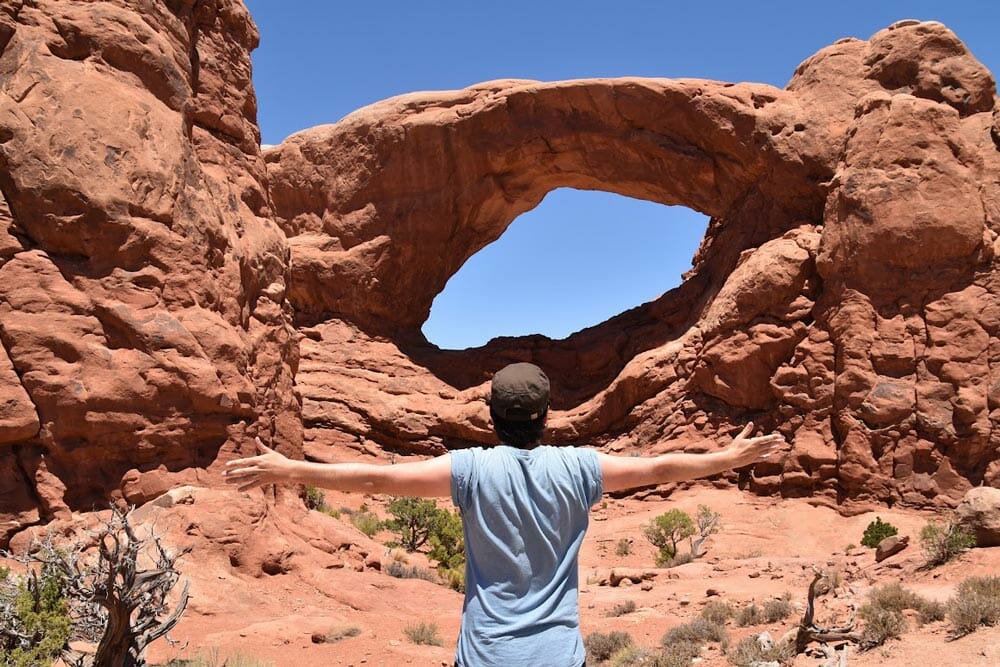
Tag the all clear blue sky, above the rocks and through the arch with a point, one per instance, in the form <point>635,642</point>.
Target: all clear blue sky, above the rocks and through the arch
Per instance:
<point>598,254</point>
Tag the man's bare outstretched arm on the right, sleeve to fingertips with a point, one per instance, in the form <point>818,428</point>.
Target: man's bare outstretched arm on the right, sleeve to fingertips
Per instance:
<point>628,472</point>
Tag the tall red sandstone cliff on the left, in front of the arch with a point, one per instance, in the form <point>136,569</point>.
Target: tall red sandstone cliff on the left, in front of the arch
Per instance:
<point>143,325</point>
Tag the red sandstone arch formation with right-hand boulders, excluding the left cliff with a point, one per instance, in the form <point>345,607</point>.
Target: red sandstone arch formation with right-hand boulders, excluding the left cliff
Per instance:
<point>846,293</point>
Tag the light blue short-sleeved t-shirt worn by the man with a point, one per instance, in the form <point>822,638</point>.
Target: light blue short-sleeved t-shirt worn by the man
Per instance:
<point>524,514</point>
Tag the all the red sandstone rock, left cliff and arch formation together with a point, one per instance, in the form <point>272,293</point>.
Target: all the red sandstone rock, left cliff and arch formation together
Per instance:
<point>153,262</point>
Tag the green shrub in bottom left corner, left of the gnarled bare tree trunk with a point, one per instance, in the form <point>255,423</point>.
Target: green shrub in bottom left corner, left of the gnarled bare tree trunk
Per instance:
<point>35,620</point>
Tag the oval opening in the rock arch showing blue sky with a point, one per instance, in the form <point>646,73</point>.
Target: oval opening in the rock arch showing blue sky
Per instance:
<point>577,259</point>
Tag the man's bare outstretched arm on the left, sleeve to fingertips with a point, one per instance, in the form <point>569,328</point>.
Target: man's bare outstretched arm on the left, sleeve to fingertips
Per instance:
<point>428,479</point>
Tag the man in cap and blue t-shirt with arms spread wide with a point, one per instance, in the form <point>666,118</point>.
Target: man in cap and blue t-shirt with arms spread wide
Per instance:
<point>525,511</point>
